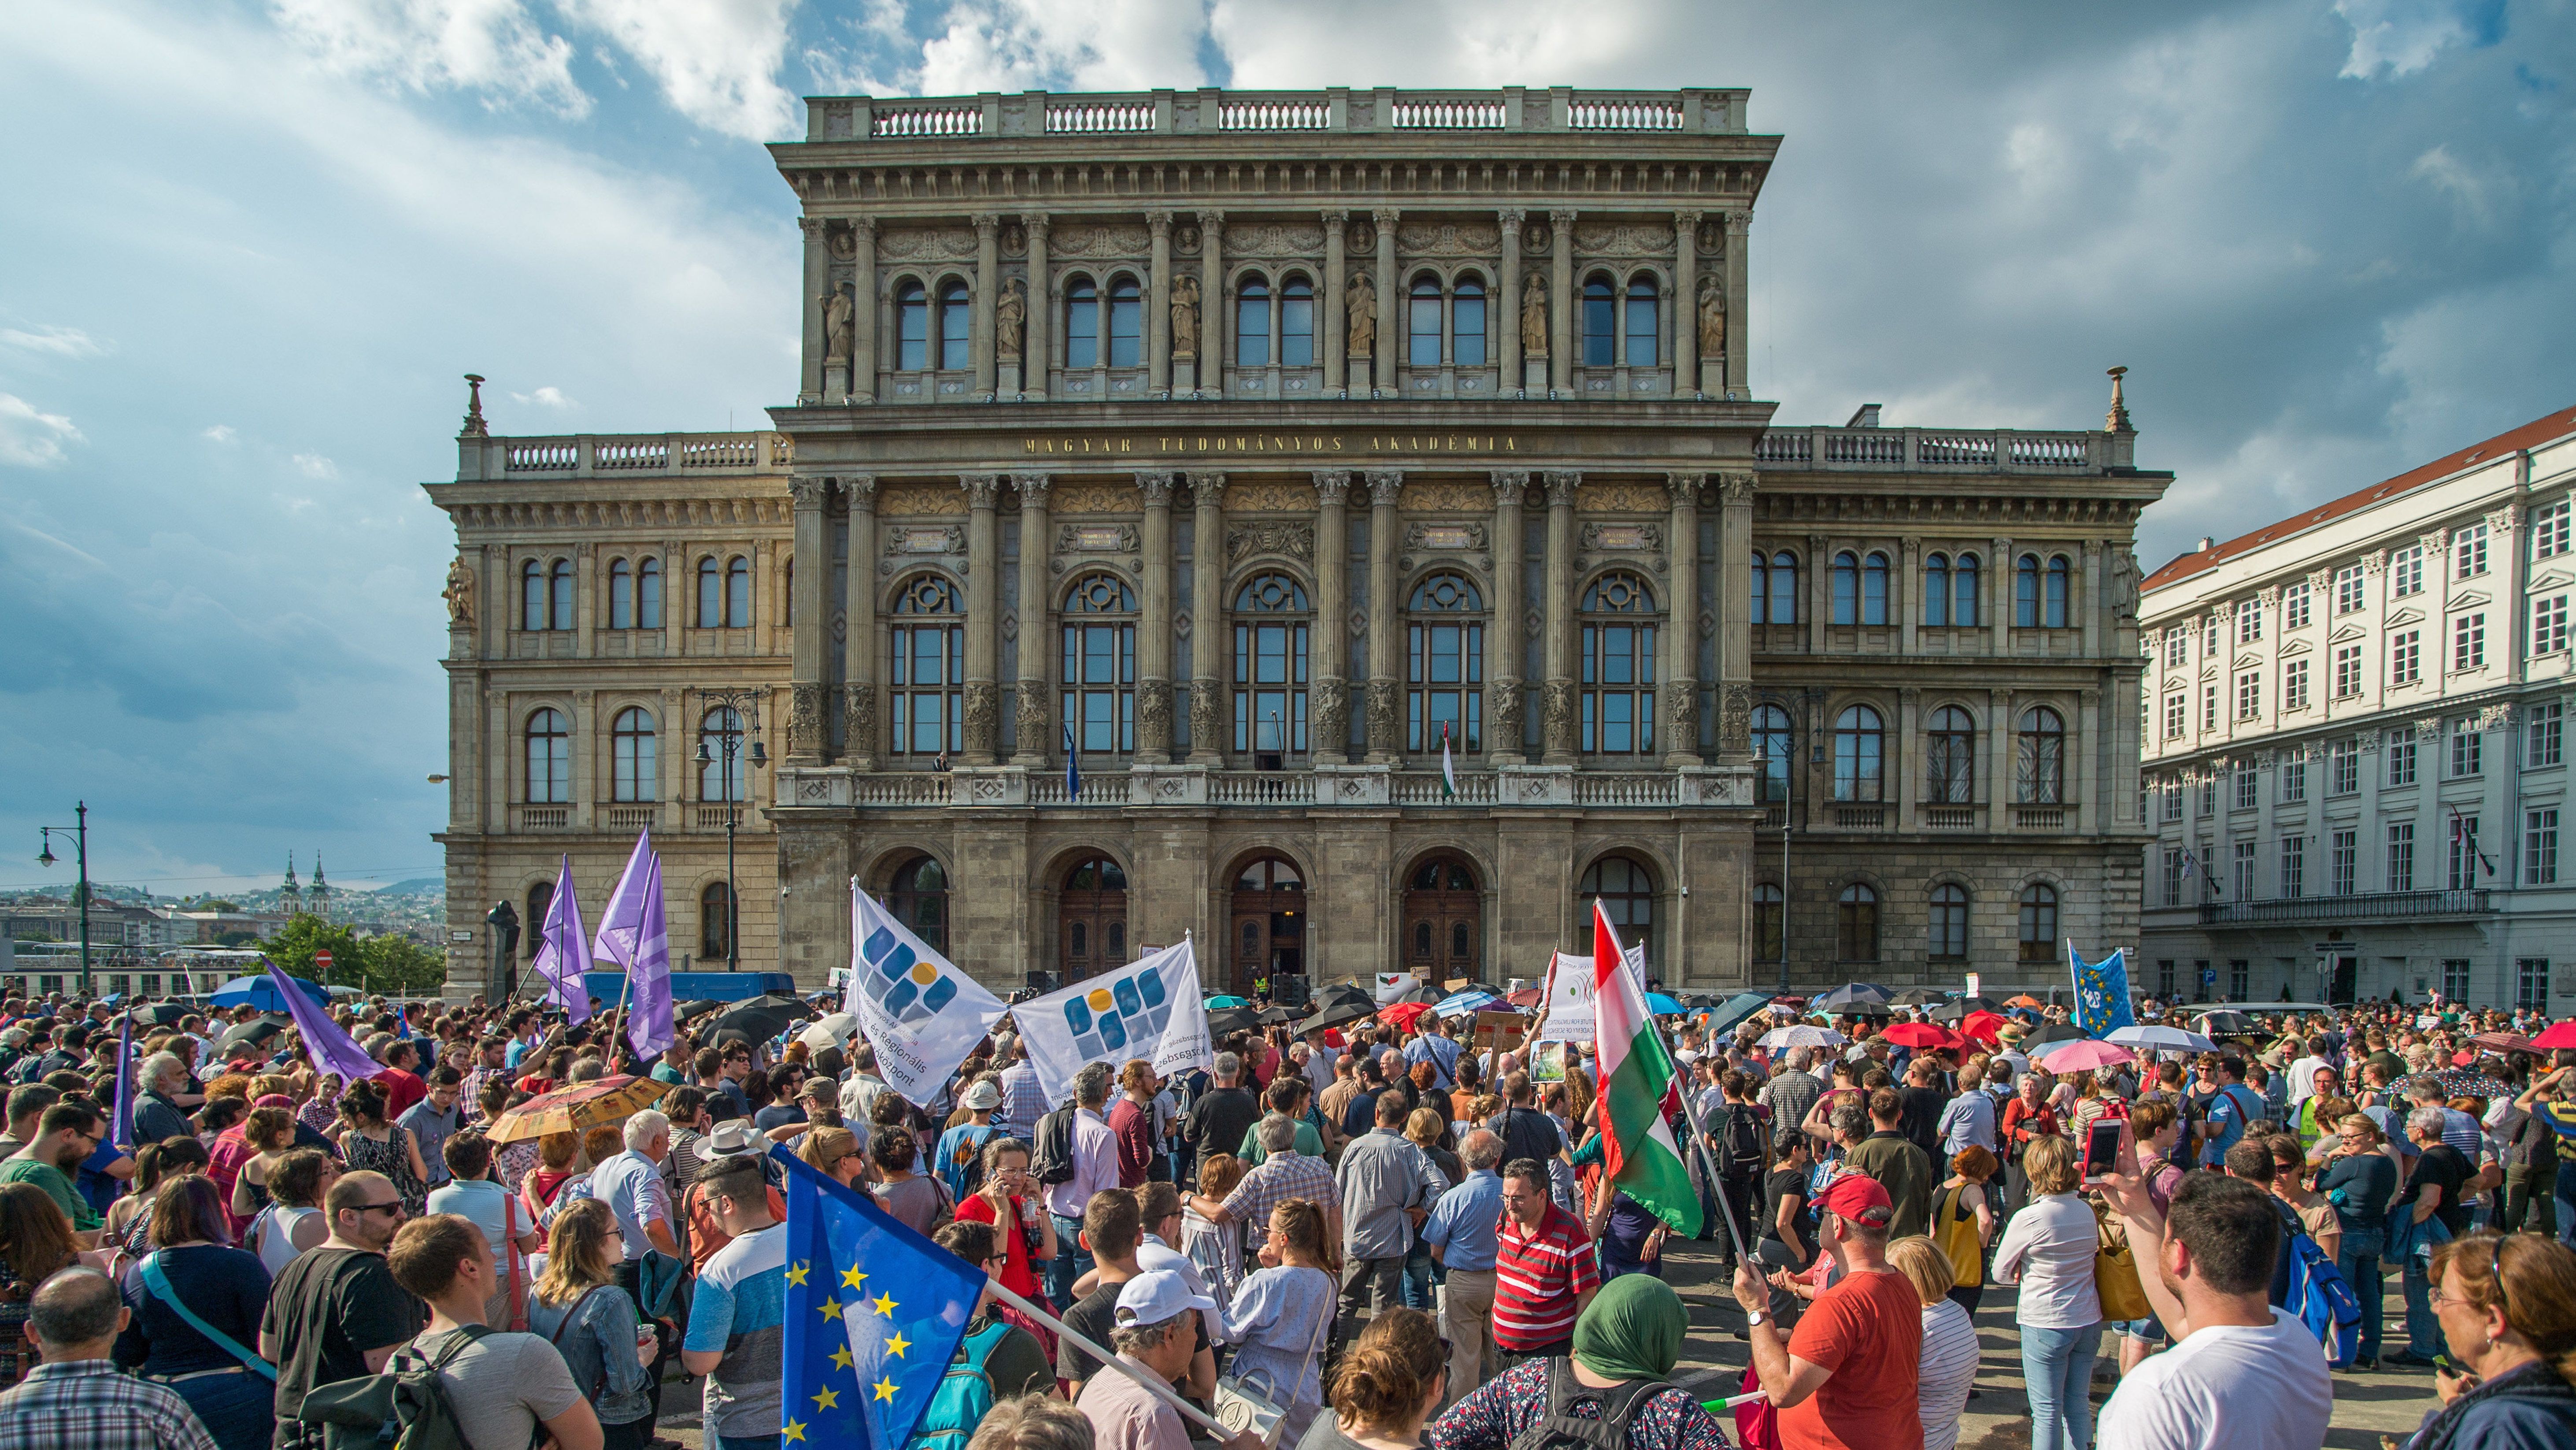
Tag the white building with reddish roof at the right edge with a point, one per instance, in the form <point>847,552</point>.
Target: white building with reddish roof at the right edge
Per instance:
<point>2356,743</point>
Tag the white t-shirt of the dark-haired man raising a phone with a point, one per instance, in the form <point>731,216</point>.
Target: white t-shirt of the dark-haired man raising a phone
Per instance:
<point>2248,1389</point>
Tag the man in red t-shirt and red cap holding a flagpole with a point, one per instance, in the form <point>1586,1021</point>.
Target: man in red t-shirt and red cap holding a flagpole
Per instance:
<point>1846,1379</point>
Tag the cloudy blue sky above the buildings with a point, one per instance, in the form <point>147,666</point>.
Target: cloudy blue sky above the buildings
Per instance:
<point>249,246</point>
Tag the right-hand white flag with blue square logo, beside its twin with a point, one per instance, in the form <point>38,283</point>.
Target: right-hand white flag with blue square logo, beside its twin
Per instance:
<point>1145,1011</point>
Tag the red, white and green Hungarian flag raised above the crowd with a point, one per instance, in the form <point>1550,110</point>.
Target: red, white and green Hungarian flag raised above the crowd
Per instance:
<point>1640,1091</point>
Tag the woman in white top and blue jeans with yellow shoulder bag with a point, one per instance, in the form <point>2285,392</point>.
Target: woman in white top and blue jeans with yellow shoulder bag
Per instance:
<point>2049,1250</point>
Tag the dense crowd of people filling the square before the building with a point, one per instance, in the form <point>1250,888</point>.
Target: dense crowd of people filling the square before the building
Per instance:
<point>1367,1232</point>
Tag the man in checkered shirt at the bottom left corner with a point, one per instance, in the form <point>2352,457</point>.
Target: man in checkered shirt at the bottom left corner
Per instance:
<point>79,1397</point>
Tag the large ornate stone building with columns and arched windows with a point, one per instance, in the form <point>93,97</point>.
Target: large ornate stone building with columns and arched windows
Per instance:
<point>1176,480</point>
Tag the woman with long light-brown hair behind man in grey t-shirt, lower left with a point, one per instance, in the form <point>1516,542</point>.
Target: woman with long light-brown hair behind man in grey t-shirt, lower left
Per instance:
<point>594,1323</point>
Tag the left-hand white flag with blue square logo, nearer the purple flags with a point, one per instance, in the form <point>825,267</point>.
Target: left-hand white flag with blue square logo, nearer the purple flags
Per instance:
<point>913,1006</point>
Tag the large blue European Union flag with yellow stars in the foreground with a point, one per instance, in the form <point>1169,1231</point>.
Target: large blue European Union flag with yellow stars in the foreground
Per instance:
<point>875,1315</point>
